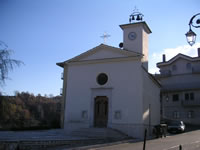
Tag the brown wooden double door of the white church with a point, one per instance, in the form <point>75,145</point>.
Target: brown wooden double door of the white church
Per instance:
<point>101,111</point>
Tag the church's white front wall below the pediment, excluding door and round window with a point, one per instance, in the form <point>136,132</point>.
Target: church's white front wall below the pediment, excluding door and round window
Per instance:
<point>124,90</point>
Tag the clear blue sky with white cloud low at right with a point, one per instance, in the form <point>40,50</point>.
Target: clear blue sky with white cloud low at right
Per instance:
<point>44,32</point>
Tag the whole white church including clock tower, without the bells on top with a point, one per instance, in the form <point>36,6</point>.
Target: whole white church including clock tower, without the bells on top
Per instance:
<point>109,87</point>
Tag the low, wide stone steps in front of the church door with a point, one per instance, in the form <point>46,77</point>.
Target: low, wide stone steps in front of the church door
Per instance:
<point>101,133</point>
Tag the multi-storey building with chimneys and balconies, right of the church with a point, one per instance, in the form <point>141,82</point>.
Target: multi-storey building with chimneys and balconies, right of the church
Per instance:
<point>180,92</point>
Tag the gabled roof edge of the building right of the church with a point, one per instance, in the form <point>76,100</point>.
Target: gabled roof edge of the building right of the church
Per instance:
<point>178,56</point>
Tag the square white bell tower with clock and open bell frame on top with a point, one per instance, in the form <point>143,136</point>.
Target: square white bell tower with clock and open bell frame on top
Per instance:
<point>135,36</point>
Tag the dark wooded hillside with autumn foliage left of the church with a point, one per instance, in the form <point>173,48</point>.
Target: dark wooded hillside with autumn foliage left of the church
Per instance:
<point>27,112</point>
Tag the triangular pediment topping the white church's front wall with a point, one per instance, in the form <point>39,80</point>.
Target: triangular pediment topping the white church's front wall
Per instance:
<point>102,52</point>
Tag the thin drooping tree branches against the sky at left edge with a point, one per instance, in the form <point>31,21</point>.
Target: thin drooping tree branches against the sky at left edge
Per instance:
<point>6,62</point>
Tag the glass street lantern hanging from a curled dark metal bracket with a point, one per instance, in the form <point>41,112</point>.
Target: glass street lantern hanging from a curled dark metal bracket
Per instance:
<point>190,35</point>
